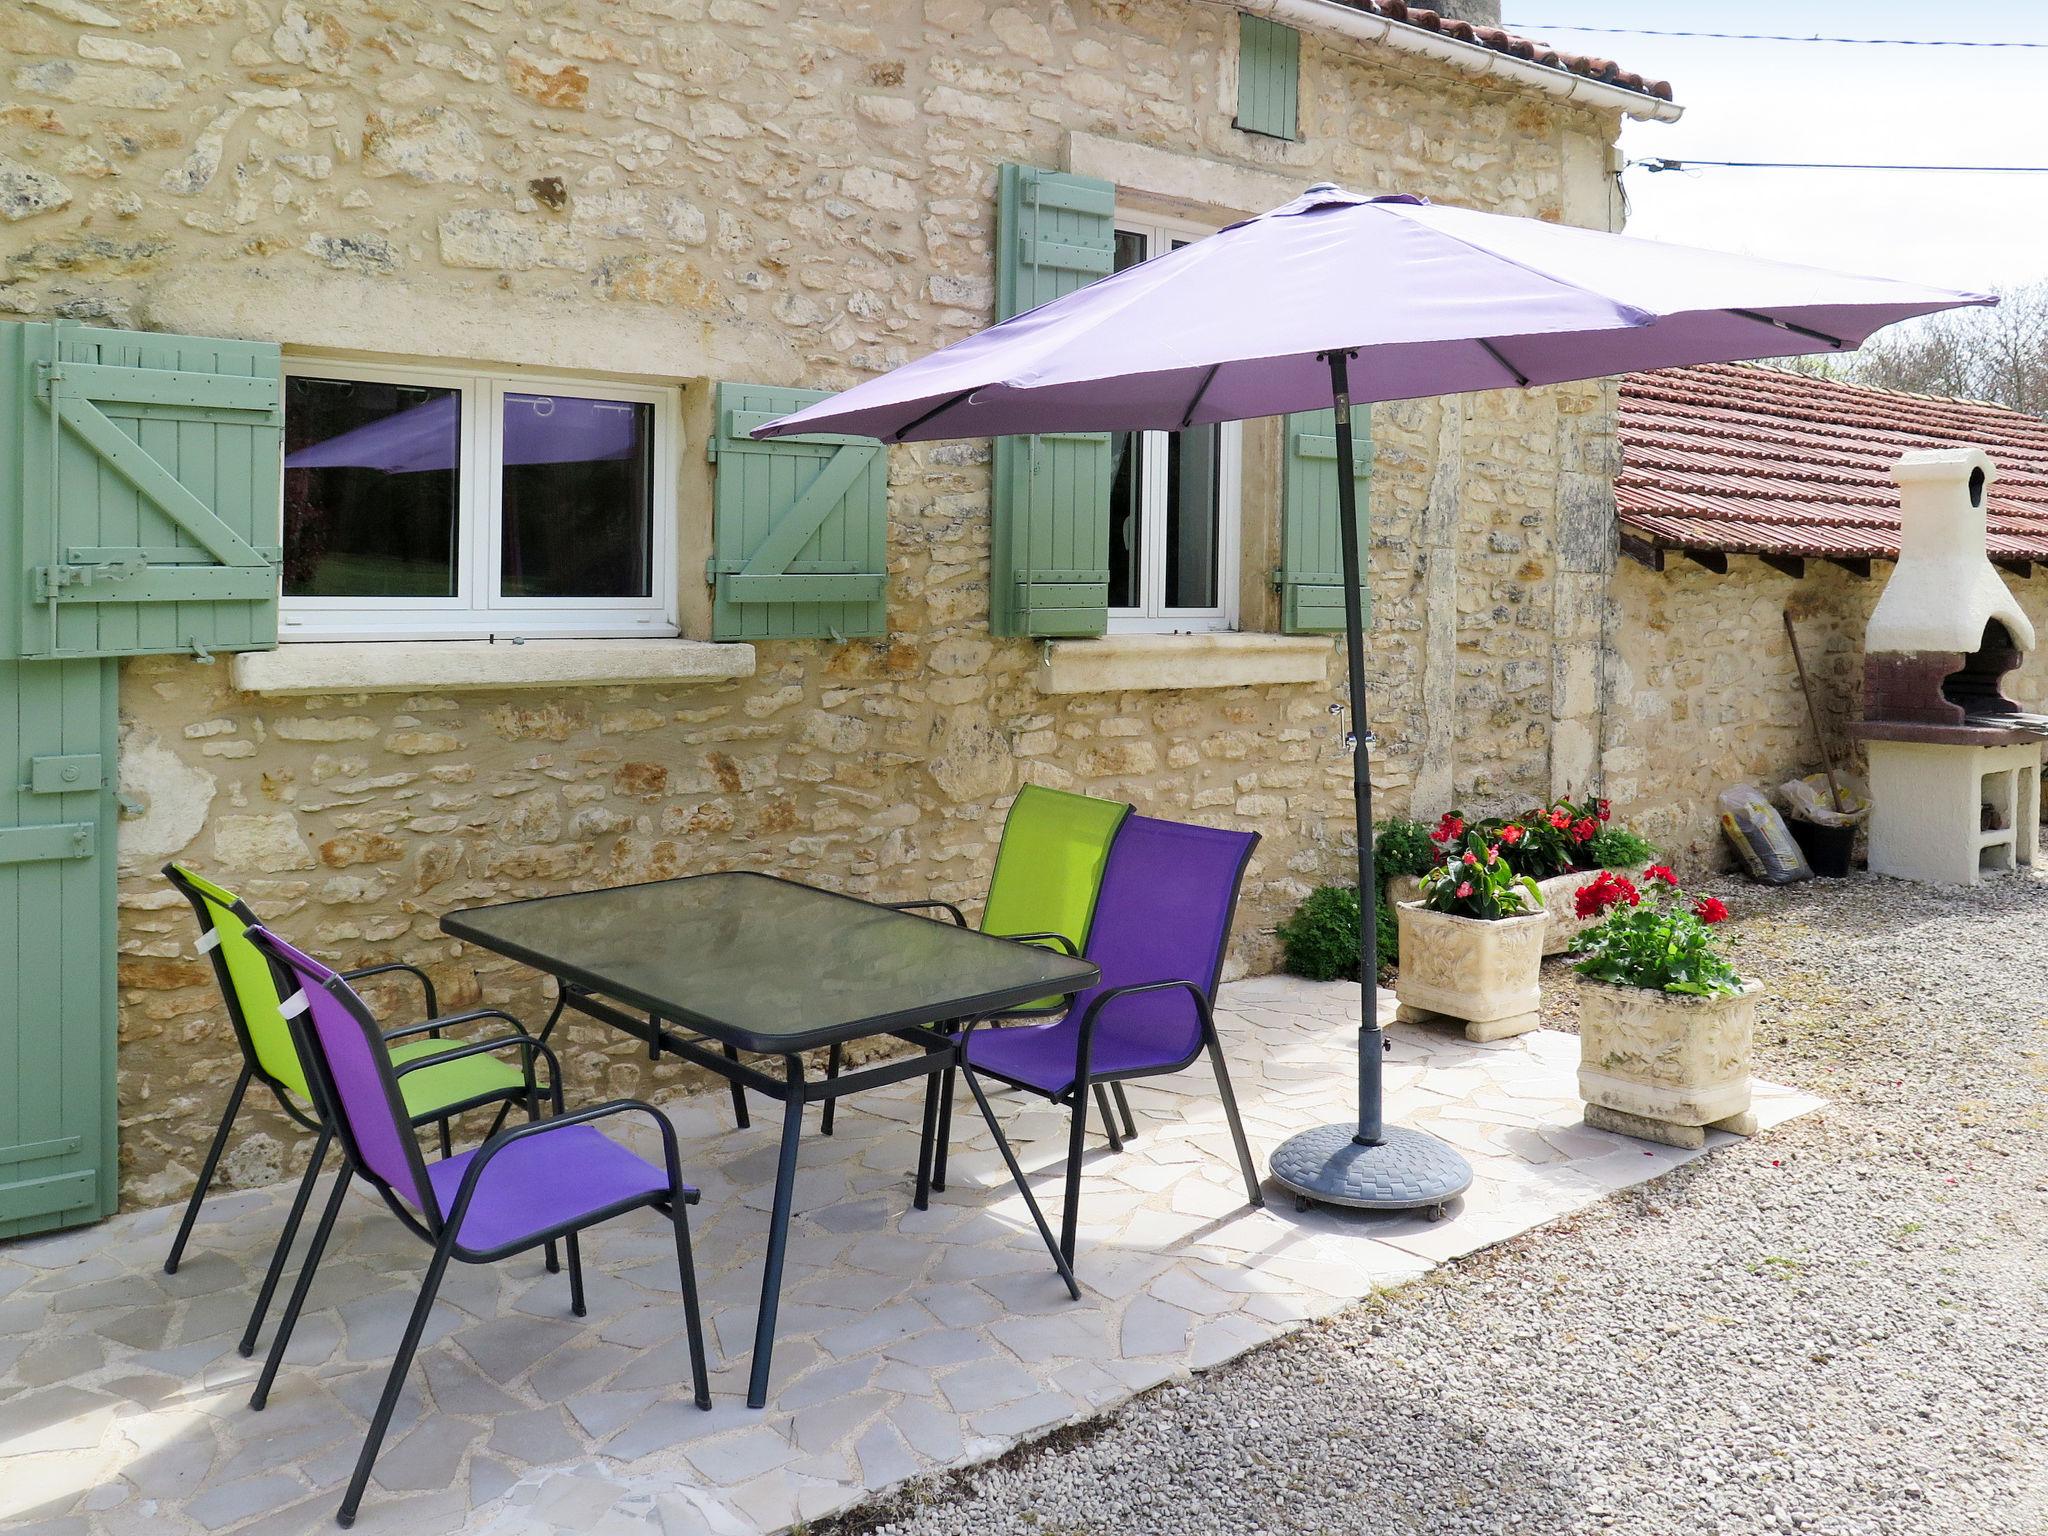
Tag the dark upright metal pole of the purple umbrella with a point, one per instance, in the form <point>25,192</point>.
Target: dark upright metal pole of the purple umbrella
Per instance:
<point>1361,740</point>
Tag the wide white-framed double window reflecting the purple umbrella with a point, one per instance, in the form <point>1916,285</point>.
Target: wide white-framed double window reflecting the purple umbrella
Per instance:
<point>425,505</point>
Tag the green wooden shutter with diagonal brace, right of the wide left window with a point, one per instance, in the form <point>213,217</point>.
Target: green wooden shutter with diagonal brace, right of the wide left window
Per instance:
<point>800,525</point>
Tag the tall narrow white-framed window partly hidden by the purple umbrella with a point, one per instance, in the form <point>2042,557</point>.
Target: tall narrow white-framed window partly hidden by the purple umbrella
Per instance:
<point>1172,503</point>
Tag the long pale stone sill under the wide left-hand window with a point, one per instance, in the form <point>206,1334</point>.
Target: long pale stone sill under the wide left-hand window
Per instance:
<point>384,667</point>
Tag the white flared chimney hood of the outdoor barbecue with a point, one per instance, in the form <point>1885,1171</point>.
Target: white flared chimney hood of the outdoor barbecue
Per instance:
<point>1945,589</point>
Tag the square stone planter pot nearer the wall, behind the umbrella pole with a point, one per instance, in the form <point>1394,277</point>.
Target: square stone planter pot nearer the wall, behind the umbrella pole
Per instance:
<point>1486,976</point>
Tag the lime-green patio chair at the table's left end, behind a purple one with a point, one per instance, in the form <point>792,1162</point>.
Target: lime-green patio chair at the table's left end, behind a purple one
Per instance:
<point>251,994</point>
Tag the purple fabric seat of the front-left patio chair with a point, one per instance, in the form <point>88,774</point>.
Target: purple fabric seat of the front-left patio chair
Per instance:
<point>544,1183</point>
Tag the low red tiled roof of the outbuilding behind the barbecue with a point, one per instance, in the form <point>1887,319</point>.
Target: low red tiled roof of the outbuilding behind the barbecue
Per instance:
<point>1748,460</point>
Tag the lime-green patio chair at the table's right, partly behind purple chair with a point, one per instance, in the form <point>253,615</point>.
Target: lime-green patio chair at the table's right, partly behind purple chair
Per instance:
<point>1043,892</point>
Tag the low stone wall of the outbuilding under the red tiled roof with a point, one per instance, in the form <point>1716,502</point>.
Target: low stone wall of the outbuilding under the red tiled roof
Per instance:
<point>1705,695</point>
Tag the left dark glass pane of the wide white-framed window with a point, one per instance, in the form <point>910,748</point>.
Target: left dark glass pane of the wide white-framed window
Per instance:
<point>372,488</point>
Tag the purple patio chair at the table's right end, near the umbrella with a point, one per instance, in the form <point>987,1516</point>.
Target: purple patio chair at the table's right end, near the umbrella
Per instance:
<point>1160,935</point>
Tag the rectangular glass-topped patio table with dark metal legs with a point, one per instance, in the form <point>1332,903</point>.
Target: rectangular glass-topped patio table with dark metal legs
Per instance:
<point>761,966</point>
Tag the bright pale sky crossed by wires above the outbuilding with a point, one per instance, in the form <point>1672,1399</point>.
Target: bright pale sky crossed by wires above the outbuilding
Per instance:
<point>1836,101</point>
